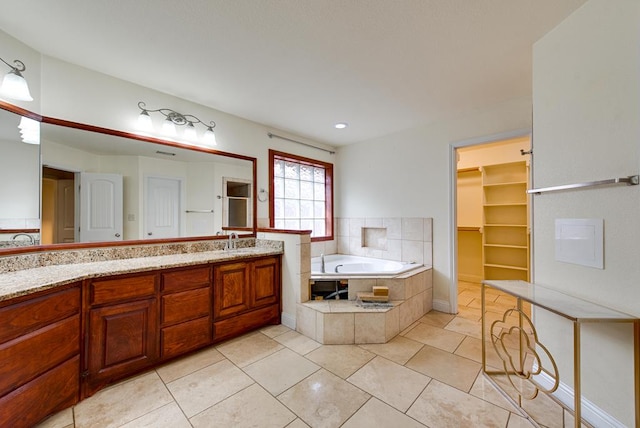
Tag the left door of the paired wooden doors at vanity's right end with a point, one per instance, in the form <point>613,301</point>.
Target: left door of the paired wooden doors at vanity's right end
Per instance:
<point>231,289</point>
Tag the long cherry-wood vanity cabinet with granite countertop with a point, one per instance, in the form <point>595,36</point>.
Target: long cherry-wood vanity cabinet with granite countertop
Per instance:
<point>63,343</point>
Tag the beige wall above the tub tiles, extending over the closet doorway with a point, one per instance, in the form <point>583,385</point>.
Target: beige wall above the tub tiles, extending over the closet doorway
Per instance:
<point>408,175</point>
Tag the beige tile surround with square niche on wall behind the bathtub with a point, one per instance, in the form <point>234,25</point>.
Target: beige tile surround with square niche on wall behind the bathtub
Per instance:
<point>408,239</point>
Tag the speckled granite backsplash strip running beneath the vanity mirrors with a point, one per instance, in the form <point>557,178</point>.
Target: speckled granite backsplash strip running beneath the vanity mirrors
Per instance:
<point>39,259</point>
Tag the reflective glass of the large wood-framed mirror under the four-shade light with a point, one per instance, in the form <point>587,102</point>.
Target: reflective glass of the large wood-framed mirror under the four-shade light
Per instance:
<point>99,188</point>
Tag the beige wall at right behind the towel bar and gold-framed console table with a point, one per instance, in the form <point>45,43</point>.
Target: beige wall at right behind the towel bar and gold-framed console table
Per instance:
<point>586,127</point>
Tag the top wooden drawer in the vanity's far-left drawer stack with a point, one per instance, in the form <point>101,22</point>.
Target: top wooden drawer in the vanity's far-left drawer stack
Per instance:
<point>22,318</point>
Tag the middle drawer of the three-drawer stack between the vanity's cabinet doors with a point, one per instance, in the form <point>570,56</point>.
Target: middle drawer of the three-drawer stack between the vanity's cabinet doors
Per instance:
<point>186,305</point>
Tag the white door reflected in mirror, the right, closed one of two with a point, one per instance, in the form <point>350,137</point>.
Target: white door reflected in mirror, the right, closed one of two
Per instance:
<point>162,208</point>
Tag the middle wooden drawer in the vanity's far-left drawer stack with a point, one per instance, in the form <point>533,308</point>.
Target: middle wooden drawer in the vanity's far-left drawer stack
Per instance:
<point>27,357</point>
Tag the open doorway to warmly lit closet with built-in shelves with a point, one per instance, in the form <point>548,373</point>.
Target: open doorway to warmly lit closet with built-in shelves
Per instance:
<point>492,227</point>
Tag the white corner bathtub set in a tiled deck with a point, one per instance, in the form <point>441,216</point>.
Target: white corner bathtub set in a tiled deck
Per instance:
<point>346,266</point>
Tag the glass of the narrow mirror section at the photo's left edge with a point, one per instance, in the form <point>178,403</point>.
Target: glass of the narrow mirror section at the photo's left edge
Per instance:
<point>20,185</point>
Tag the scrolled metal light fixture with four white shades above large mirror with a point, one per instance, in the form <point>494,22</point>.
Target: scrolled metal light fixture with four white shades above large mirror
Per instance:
<point>173,118</point>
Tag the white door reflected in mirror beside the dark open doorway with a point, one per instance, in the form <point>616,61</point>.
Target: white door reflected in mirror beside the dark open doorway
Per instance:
<point>100,207</point>
